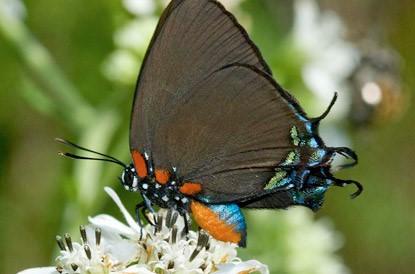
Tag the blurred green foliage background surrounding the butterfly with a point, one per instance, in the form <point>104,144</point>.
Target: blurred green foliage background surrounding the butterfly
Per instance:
<point>55,81</point>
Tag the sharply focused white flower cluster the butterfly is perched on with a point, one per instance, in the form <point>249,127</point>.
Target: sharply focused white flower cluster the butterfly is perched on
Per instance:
<point>108,246</point>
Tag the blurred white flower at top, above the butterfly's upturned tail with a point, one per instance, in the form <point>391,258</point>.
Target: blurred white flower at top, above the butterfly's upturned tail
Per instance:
<point>330,59</point>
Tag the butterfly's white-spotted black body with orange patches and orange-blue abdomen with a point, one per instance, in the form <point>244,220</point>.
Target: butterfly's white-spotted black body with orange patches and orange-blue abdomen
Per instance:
<point>224,221</point>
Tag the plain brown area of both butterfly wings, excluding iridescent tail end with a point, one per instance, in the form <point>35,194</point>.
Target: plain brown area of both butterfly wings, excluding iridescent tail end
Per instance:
<point>206,104</point>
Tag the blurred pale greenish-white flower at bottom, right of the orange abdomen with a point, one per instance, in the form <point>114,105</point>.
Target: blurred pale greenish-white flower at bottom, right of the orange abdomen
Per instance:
<point>305,245</point>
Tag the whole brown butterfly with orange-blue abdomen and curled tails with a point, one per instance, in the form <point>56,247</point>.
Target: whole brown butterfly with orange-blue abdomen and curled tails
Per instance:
<point>212,132</point>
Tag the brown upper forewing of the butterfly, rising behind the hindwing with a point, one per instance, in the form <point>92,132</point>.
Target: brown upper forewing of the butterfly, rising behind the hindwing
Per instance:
<point>193,39</point>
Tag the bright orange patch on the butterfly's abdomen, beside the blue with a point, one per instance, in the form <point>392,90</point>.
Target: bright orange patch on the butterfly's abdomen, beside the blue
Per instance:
<point>209,221</point>
